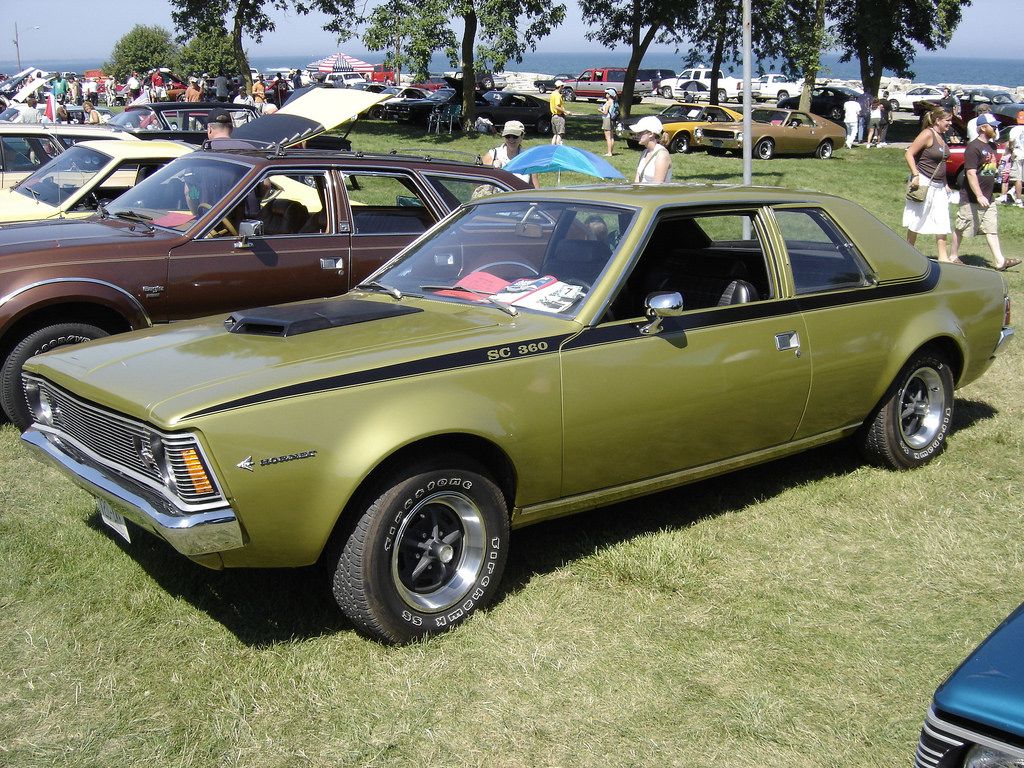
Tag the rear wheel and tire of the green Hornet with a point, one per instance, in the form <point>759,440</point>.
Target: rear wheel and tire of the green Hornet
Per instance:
<point>910,429</point>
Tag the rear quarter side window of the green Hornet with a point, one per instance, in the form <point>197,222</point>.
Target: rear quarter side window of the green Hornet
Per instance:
<point>822,258</point>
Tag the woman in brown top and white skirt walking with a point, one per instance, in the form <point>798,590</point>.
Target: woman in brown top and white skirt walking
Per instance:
<point>927,157</point>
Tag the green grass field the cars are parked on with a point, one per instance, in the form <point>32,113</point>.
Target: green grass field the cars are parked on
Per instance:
<point>800,614</point>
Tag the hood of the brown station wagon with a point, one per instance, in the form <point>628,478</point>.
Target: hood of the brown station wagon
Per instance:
<point>33,237</point>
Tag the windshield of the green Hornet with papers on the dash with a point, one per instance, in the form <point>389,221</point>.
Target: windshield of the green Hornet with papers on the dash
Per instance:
<point>540,257</point>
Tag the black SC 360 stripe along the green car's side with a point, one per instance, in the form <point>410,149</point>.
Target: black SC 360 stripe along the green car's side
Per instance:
<point>590,337</point>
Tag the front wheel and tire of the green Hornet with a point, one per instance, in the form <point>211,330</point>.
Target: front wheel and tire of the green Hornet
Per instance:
<point>453,519</point>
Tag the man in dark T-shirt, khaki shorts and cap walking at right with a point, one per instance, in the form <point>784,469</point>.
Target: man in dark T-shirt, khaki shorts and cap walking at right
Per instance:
<point>977,212</point>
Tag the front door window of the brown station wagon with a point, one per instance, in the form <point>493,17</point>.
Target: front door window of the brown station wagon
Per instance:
<point>287,204</point>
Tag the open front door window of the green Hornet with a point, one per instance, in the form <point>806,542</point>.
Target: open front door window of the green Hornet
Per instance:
<point>713,261</point>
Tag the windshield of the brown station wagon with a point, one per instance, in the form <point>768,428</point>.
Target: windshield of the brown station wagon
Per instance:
<point>177,196</point>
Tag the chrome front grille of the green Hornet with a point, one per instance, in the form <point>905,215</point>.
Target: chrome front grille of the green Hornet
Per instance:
<point>117,442</point>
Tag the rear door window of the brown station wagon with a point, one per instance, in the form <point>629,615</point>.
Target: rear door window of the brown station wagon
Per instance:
<point>387,205</point>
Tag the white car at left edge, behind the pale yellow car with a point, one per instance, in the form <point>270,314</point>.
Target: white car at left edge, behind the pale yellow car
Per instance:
<point>27,147</point>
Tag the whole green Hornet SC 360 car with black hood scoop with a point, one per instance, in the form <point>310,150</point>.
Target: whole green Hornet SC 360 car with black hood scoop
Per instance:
<point>537,354</point>
